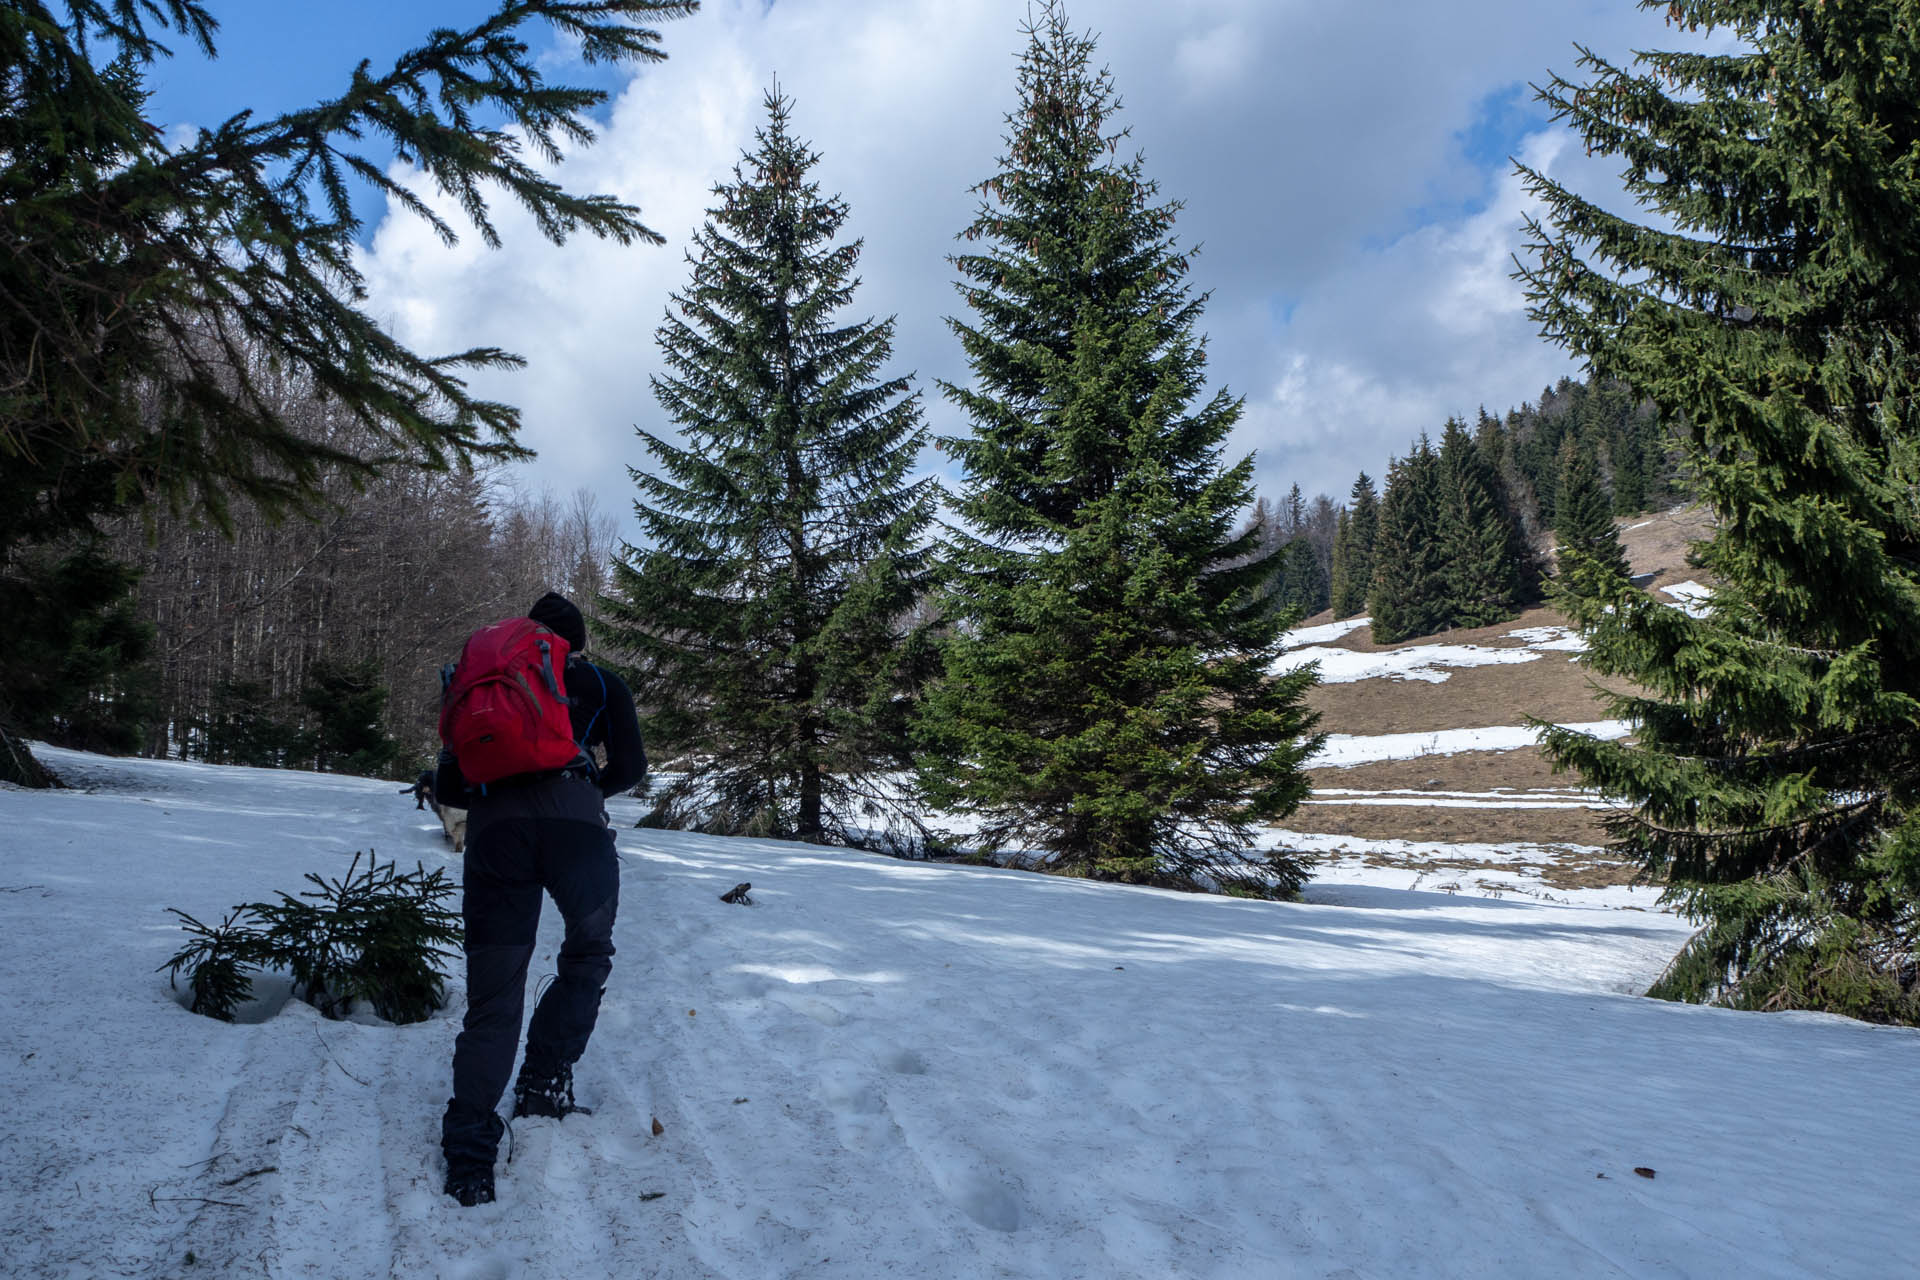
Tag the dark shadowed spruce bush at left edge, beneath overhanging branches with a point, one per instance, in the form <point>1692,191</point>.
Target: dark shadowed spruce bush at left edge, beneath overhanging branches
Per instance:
<point>72,650</point>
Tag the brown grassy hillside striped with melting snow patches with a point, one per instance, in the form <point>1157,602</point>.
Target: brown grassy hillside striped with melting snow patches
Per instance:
<point>1433,813</point>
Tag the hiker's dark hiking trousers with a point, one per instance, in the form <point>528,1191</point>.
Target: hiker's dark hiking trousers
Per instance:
<point>517,845</point>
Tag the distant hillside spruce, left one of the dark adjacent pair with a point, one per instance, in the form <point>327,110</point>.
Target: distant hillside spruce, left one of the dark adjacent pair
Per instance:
<point>1410,584</point>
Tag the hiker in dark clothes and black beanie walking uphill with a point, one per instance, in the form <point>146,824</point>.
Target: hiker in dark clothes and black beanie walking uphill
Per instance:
<point>535,830</point>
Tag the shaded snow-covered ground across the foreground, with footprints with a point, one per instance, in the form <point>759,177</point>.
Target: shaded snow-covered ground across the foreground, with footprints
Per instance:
<point>913,1070</point>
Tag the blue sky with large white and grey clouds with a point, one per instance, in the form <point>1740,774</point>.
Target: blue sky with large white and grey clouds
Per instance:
<point>1343,168</point>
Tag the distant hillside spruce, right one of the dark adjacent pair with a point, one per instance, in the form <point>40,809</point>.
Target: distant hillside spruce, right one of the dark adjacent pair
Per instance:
<point>1477,536</point>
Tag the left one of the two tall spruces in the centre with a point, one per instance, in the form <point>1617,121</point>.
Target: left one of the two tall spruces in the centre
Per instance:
<point>769,615</point>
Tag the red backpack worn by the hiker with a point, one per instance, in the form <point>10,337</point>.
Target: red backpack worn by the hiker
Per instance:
<point>504,711</point>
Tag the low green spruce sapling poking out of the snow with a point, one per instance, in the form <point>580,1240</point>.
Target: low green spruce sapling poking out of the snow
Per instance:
<point>373,936</point>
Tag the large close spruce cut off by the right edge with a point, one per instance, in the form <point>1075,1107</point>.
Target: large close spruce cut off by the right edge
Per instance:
<point>1775,769</point>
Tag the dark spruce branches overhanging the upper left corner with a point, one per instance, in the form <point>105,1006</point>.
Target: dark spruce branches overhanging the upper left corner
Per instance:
<point>151,285</point>
